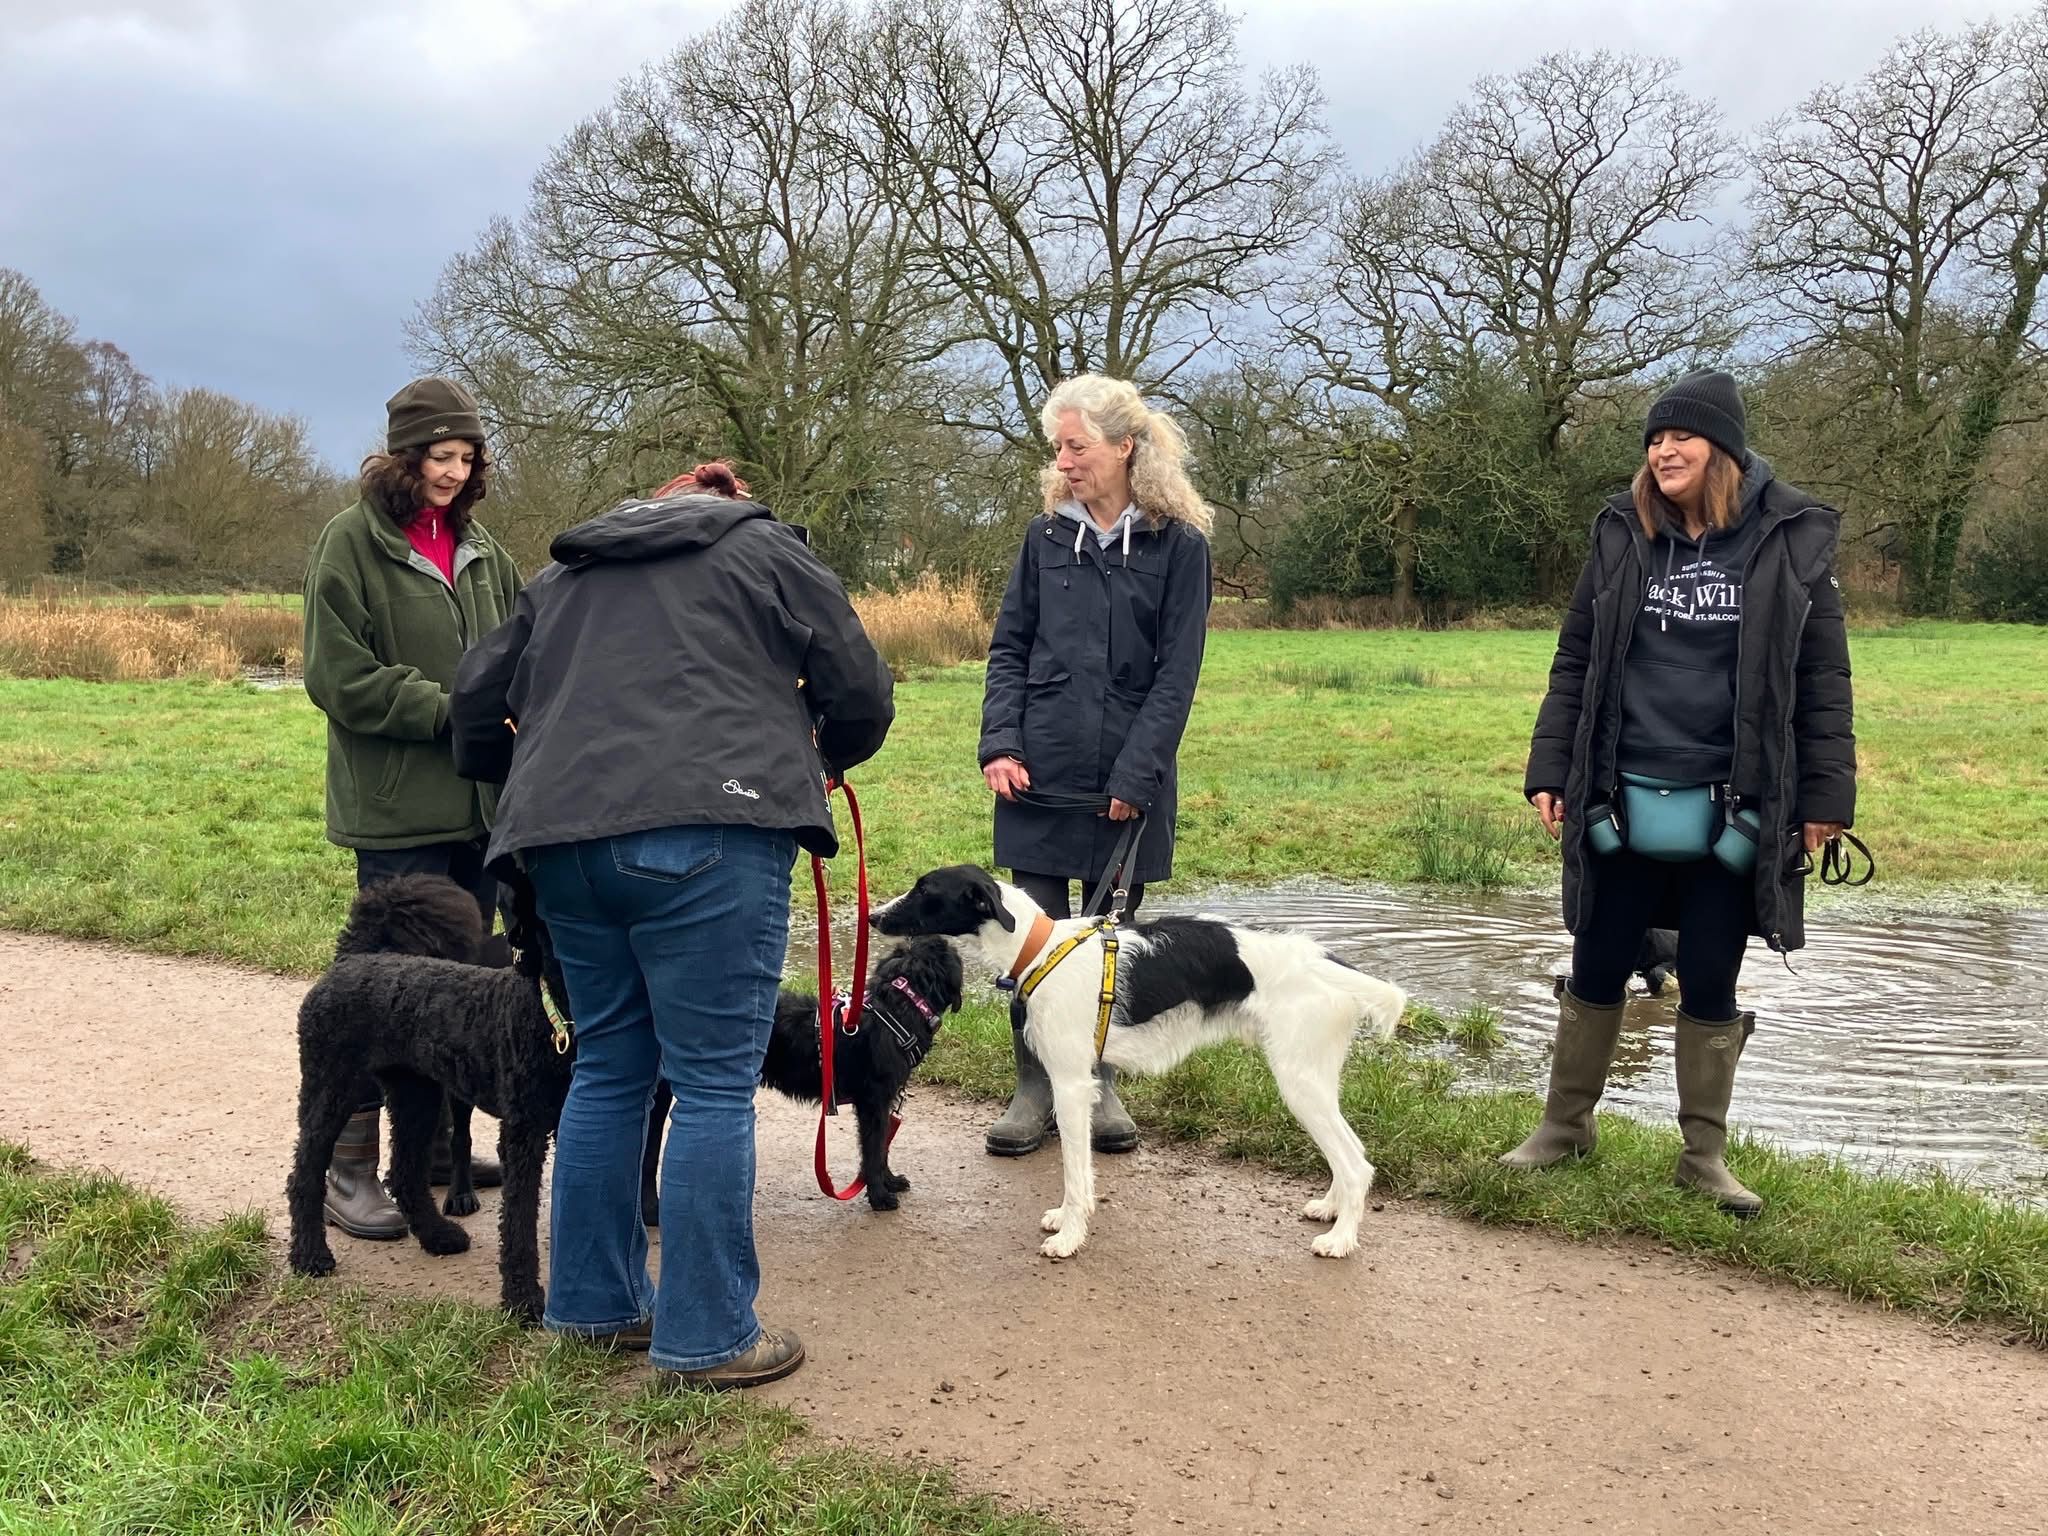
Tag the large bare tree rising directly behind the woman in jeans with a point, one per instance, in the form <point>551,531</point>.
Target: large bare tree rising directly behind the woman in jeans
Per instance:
<point>712,265</point>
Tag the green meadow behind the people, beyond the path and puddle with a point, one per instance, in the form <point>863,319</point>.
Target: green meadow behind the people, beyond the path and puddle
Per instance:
<point>187,816</point>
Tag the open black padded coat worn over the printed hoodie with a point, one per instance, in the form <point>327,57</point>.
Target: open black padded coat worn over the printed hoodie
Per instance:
<point>1795,749</point>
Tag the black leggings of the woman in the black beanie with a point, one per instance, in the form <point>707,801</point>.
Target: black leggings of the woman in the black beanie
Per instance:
<point>1713,931</point>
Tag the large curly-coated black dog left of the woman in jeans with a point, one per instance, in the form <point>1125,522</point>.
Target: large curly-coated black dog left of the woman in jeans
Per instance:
<point>407,1005</point>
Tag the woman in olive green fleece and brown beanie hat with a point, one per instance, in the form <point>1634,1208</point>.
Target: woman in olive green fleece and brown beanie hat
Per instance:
<point>396,591</point>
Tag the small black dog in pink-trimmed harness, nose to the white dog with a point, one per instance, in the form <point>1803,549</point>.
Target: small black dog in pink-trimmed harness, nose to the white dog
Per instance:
<point>910,990</point>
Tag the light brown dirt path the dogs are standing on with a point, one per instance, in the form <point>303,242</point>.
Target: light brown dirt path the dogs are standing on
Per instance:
<point>1195,1371</point>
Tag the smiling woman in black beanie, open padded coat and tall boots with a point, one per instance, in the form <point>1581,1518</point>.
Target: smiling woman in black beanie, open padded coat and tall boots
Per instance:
<point>1705,663</point>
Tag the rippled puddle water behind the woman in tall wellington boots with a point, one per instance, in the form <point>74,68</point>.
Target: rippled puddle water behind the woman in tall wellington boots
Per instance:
<point>1904,1041</point>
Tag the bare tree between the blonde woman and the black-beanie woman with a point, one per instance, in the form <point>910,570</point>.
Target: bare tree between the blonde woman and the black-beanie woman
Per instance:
<point>1543,239</point>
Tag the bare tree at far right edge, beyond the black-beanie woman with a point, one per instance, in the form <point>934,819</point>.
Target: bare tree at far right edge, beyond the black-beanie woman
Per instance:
<point>1902,226</point>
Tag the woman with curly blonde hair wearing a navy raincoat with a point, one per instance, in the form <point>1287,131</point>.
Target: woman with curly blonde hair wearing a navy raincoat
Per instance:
<point>1093,673</point>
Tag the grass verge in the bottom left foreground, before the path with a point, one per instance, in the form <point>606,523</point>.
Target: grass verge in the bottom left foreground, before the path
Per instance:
<point>159,1379</point>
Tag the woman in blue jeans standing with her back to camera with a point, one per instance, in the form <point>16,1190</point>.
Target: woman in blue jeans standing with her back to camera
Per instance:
<point>660,773</point>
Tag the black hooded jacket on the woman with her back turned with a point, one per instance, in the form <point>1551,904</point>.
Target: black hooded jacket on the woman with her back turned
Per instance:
<point>683,663</point>
